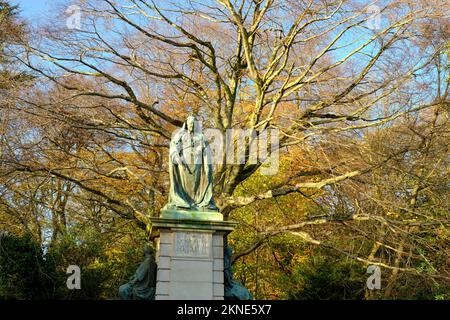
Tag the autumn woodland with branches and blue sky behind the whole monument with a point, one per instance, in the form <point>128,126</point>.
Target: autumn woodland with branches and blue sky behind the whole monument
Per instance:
<point>360,101</point>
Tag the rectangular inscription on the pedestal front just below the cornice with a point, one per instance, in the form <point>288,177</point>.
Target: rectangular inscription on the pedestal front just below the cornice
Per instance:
<point>192,244</point>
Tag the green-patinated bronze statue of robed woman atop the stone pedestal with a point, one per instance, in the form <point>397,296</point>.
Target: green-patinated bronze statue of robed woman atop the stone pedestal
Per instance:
<point>190,169</point>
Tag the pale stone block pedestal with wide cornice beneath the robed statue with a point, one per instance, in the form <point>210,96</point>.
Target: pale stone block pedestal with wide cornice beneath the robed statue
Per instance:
<point>190,254</point>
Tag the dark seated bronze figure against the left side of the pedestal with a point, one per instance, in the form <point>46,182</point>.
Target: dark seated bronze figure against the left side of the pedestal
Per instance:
<point>142,285</point>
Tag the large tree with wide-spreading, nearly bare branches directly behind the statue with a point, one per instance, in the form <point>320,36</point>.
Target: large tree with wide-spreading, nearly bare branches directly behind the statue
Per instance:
<point>323,74</point>
